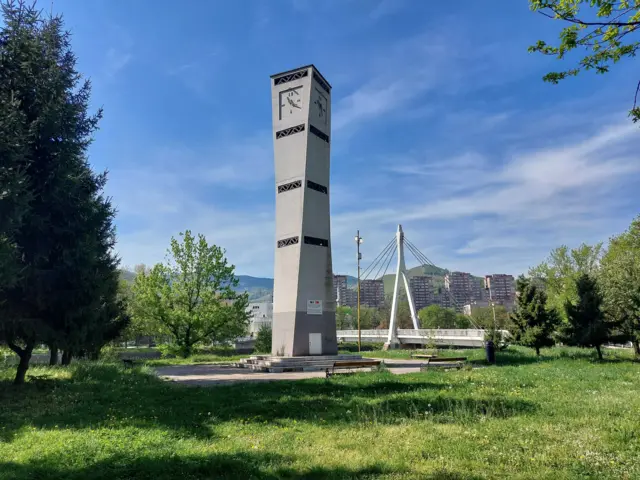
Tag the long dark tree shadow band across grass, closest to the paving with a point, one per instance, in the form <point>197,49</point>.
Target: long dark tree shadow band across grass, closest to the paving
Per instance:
<point>106,396</point>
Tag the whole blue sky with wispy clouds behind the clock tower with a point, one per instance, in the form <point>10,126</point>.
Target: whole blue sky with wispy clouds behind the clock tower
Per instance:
<point>441,122</point>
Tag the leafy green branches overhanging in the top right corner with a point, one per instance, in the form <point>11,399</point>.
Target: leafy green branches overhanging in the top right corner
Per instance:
<point>606,29</point>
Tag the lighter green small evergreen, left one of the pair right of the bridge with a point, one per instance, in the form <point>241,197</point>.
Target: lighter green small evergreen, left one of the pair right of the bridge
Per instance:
<point>534,324</point>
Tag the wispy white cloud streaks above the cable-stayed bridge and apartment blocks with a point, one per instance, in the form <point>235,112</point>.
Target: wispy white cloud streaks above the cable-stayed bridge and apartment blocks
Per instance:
<point>516,207</point>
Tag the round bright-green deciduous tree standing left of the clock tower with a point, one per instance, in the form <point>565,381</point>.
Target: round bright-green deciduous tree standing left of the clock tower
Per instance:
<point>191,296</point>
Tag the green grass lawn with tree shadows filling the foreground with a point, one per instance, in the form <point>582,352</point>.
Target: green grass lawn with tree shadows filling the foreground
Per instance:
<point>565,416</point>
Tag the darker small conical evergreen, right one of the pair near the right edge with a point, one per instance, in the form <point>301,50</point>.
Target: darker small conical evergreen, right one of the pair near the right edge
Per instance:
<point>586,325</point>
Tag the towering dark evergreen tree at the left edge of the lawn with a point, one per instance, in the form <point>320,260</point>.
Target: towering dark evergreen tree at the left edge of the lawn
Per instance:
<point>63,293</point>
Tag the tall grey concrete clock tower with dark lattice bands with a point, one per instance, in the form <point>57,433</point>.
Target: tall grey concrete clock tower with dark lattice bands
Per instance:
<point>304,320</point>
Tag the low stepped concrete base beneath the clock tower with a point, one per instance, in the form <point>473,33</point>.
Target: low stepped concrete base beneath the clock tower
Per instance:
<point>275,364</point>
